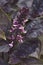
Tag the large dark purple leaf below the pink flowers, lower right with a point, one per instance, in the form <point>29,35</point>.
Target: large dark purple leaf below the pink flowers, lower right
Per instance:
<point>26,48</point>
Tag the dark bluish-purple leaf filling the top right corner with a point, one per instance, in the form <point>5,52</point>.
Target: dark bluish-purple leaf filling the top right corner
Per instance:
<point>37,8</point>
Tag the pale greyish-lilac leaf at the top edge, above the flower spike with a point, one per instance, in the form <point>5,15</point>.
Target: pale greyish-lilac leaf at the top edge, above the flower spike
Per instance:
<point>24,3</point>
